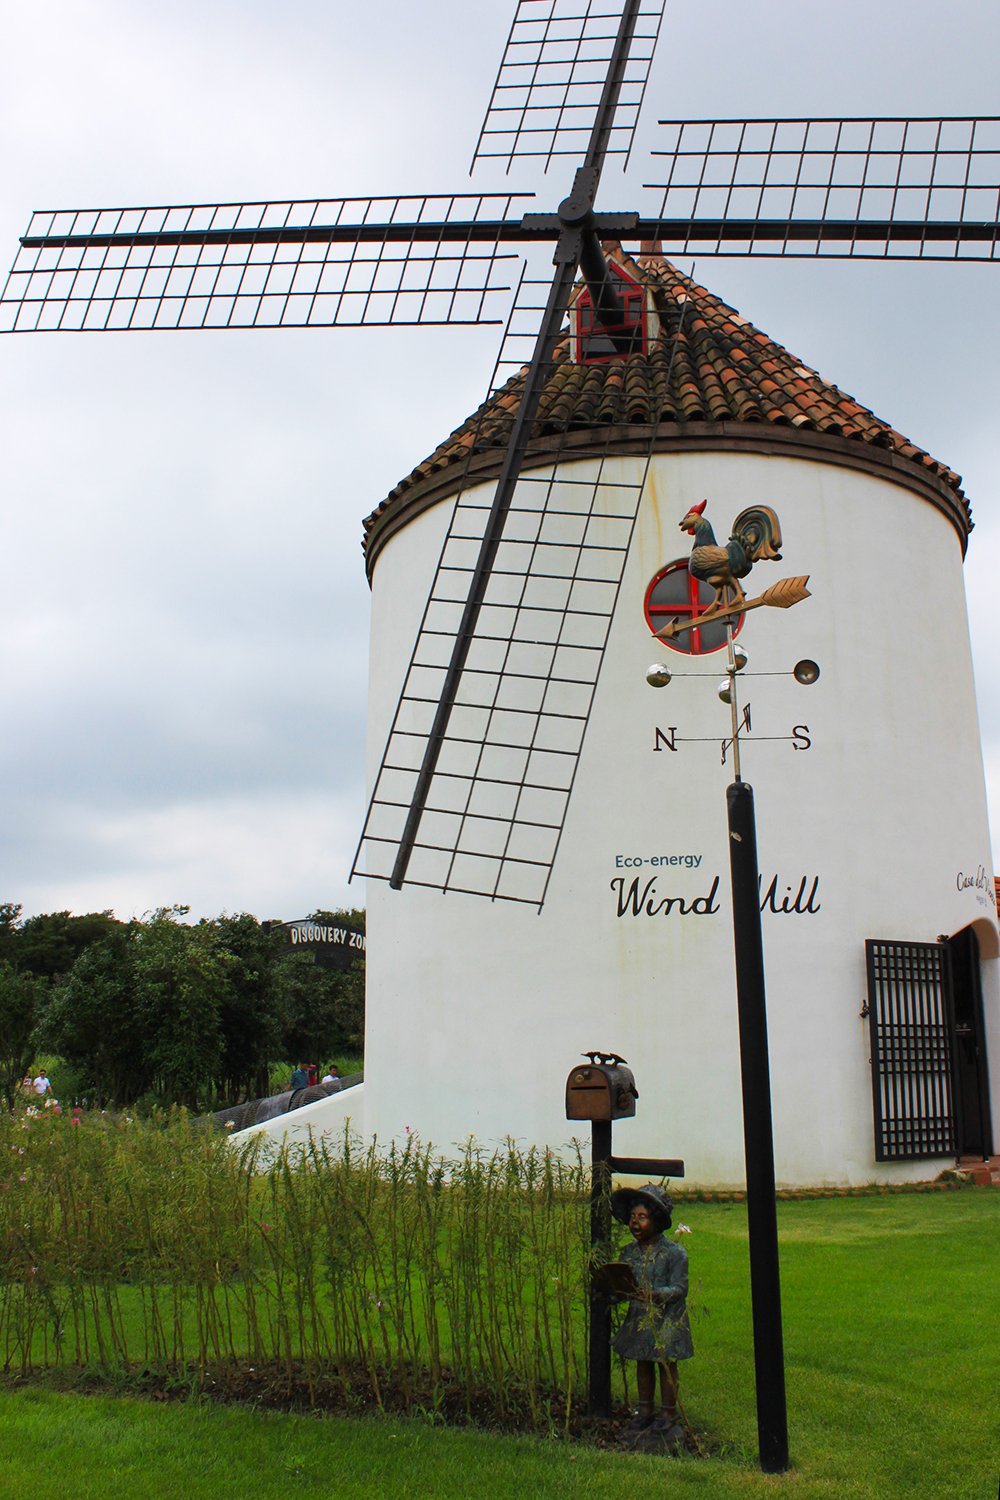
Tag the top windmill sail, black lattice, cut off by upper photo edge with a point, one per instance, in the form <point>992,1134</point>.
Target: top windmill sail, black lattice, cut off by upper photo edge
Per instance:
<point>552,76</point>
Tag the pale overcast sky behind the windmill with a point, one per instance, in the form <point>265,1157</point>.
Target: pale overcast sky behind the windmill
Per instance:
<point>182,595</point>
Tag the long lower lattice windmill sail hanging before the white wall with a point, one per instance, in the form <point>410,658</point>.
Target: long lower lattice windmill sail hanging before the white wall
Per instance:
<point>509,763</point>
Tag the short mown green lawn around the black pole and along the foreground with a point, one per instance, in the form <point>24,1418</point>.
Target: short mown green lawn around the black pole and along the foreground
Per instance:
<point>893,1346</point>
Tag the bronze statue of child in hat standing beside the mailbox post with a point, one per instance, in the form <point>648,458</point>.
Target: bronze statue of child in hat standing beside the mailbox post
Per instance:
<point>656,1330</point>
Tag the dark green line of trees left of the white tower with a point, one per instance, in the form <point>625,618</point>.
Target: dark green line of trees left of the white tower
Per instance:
<point>169,1012</point>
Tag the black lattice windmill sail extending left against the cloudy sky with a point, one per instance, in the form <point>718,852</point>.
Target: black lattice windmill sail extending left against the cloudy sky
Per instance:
<point>326,263</point>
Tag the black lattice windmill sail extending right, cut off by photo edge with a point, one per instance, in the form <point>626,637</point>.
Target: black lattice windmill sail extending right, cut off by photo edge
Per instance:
<point>863,188</point>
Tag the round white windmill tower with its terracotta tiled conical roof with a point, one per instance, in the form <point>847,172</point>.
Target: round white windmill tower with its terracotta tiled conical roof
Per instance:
<point>876,824</point>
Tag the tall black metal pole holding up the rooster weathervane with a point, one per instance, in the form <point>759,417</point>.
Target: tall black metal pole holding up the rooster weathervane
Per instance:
<point>765,1277</point>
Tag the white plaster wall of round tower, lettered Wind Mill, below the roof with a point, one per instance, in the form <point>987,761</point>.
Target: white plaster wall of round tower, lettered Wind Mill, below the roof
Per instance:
<point>478,1010</point>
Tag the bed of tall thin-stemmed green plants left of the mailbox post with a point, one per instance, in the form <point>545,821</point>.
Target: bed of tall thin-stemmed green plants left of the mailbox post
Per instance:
<point>161,1246</point>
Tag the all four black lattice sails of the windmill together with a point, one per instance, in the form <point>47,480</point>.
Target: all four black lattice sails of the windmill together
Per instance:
<point>503,634</point>
